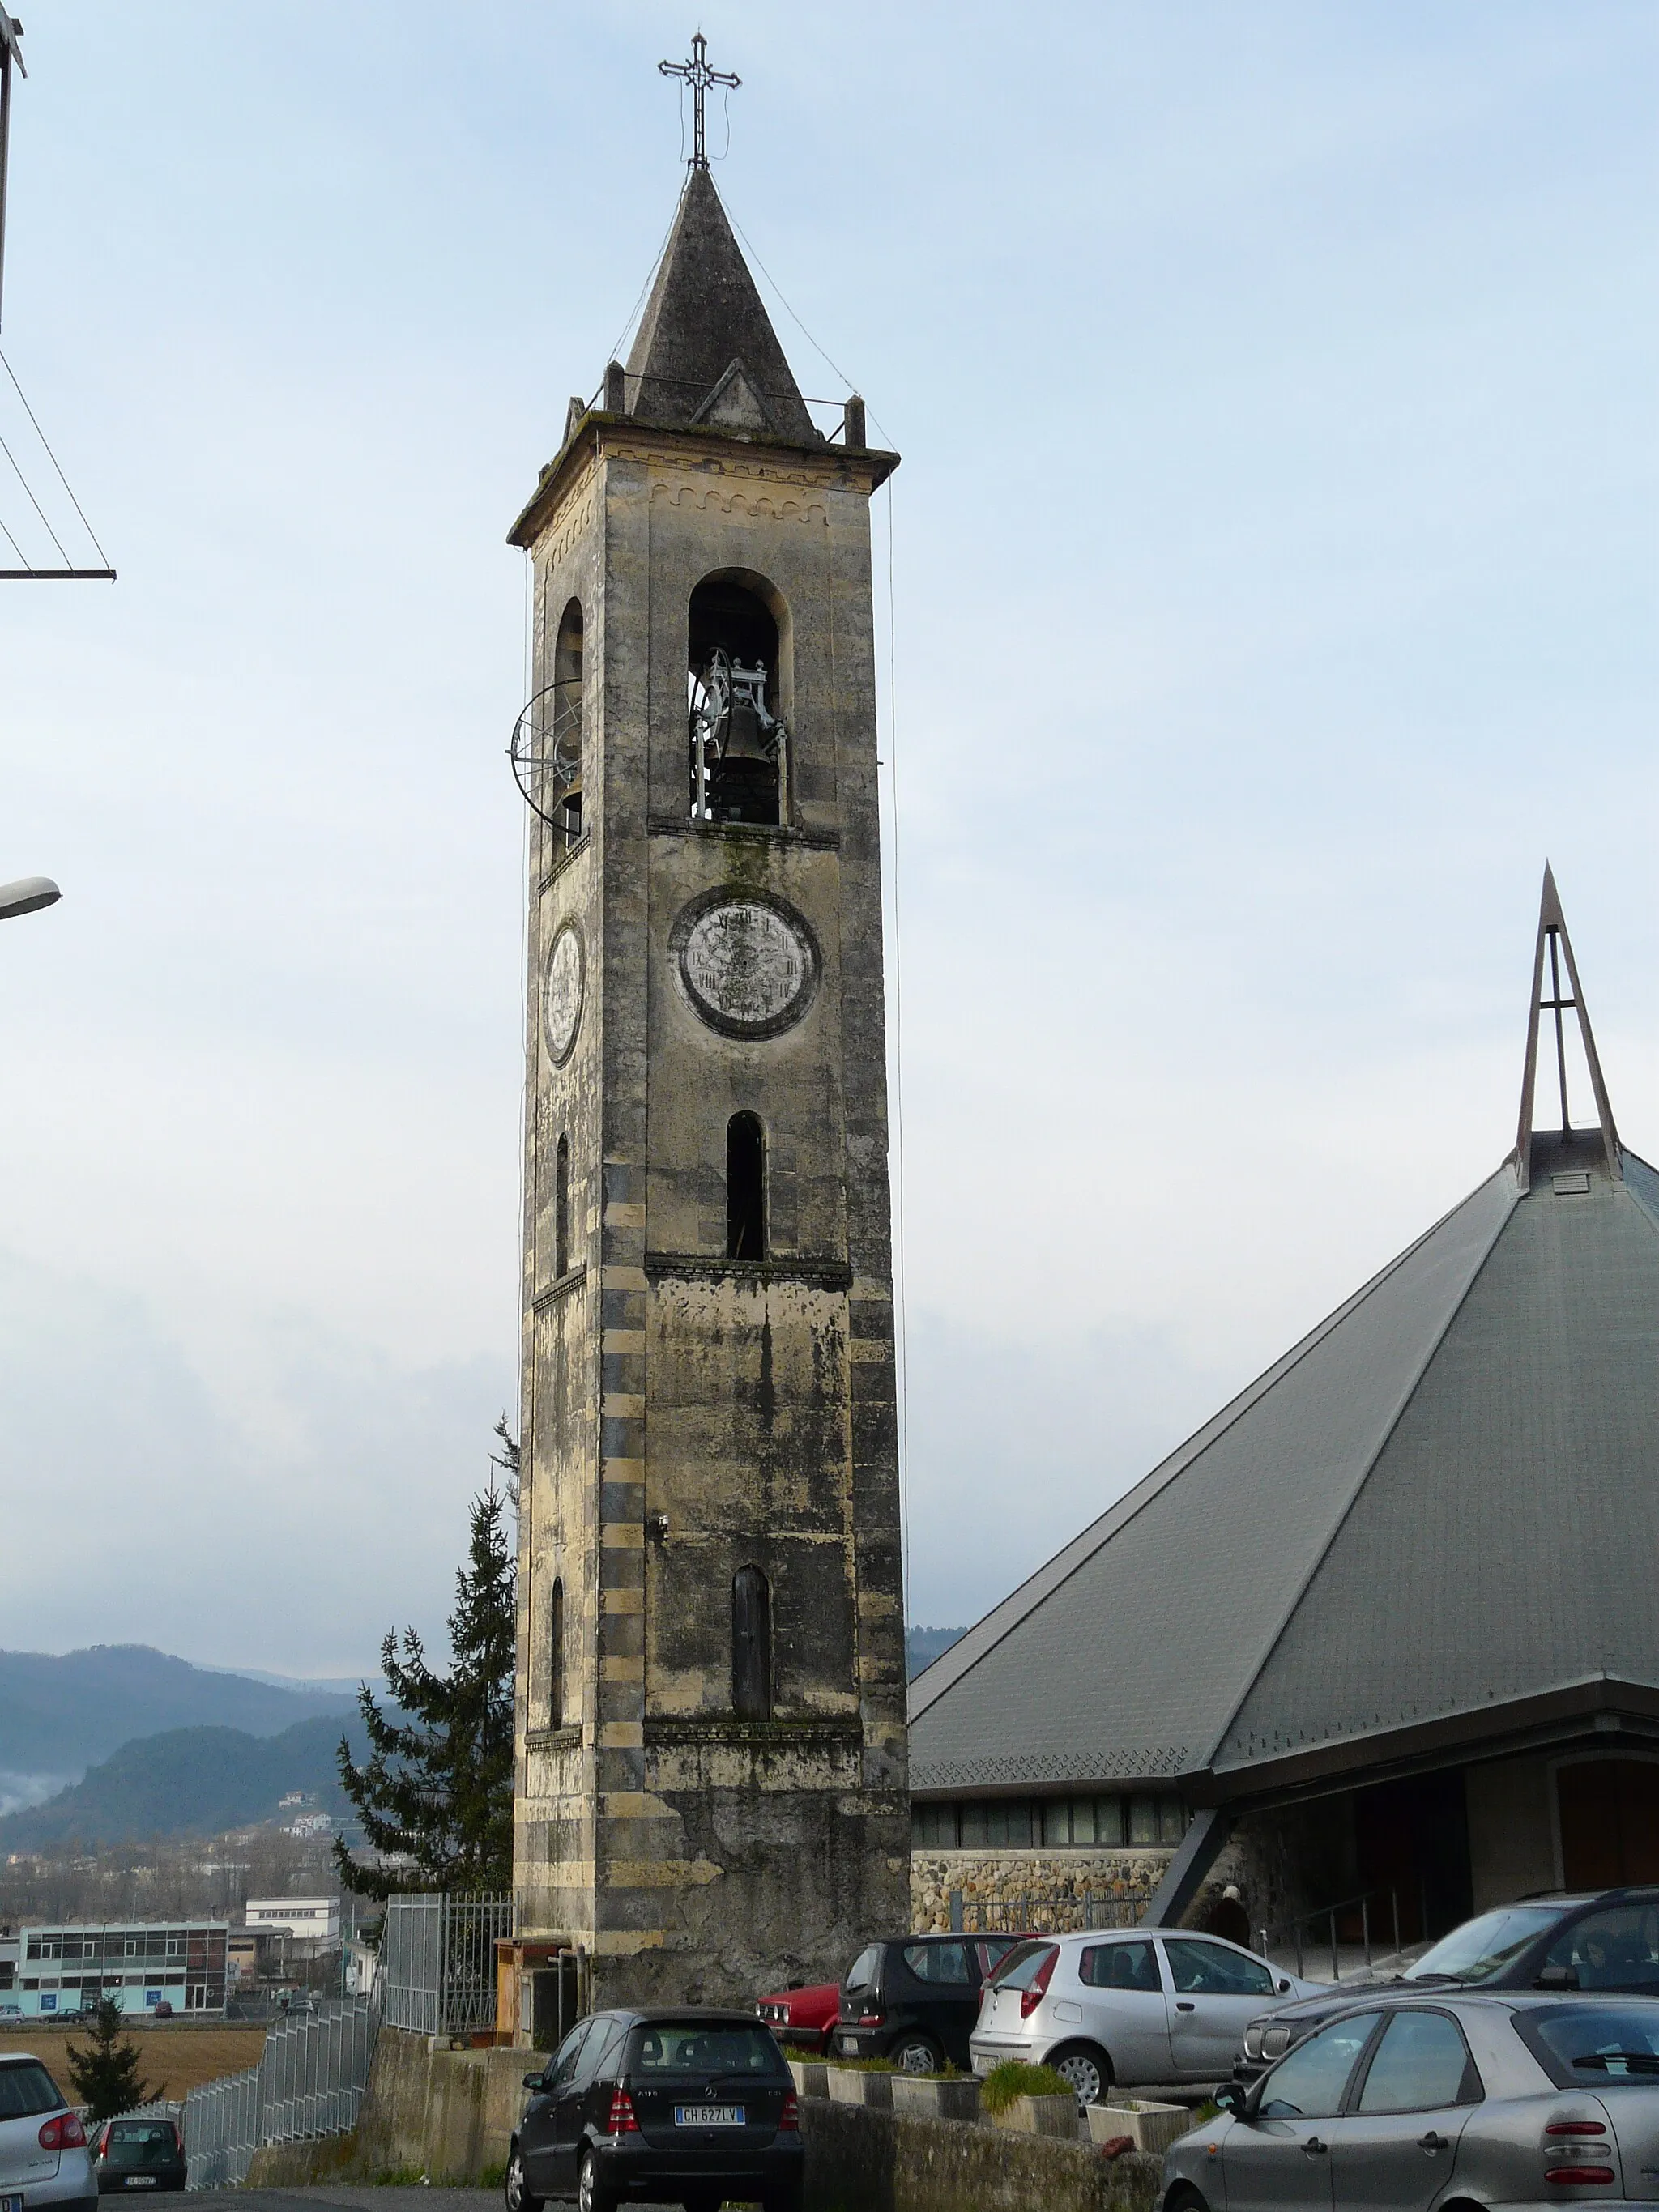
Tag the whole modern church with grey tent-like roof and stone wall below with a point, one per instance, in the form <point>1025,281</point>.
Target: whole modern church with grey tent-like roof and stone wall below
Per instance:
<point>1390,1623</point>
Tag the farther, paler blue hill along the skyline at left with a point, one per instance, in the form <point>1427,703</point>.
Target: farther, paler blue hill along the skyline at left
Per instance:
<point>59,1715</point>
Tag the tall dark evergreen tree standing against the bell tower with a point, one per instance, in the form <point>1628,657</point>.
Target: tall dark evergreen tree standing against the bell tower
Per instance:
<point>439,1782</point>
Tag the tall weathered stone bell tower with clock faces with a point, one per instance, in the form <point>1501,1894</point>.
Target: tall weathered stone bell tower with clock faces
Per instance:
<point>711,1678</point>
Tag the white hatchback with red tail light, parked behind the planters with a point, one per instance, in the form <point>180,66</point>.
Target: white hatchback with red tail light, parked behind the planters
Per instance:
<point>1125,2007</point>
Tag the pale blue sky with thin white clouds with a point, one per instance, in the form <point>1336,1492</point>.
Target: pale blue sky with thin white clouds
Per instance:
<point>1269,589</point>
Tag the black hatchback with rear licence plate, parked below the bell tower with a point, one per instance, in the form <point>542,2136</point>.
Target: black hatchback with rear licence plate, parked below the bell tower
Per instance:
<point>671,2105</point>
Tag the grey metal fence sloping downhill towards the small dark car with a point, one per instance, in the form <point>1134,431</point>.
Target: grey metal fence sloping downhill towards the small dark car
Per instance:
<point>309,2083</point>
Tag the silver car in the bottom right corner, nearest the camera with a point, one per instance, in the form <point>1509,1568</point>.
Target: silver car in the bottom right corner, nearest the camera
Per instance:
<point>1415,2103</point>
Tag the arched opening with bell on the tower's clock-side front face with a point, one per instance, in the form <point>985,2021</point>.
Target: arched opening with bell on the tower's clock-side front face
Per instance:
<point>735,698</point>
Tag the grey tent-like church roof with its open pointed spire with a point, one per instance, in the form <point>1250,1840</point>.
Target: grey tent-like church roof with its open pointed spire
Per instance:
<point>1423,1512</point>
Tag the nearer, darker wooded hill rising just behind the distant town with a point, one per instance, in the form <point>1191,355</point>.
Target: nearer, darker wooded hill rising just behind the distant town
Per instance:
<point>187,1782</point>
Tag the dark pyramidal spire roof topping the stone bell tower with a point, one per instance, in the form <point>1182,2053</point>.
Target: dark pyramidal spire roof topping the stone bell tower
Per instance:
<point>707,351</point>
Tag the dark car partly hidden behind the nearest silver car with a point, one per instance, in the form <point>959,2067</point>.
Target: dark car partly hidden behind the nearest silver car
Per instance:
<point>1605,1939</point>
